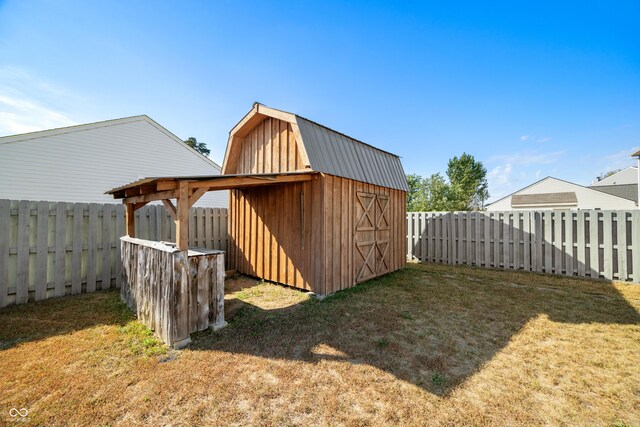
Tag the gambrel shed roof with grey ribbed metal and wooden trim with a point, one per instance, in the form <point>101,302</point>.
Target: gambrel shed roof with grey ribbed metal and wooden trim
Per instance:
<point>325,150</point>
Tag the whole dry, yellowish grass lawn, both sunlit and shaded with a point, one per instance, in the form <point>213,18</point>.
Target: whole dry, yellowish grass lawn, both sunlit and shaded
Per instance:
<point>430,344</point>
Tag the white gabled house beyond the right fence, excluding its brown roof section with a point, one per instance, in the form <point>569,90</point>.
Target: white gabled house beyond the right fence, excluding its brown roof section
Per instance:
<point>587,198</point>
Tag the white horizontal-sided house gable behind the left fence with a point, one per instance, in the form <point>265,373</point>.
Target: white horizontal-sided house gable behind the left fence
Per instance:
<point>80,163</point>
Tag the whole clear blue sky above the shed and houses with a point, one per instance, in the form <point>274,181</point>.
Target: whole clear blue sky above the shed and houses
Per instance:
<point>530,89</point>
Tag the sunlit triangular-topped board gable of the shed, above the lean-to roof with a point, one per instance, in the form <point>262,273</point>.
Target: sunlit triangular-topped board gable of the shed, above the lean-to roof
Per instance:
<point>270,147</point>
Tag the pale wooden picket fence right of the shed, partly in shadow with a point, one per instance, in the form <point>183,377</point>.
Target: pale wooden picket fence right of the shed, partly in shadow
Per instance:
<point>588,243</point>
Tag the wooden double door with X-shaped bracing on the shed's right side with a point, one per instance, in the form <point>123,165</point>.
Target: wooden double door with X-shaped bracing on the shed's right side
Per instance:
<point>371,235</point>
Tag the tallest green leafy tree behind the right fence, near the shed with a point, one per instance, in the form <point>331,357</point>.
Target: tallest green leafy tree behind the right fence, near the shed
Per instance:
<point>468,183</point>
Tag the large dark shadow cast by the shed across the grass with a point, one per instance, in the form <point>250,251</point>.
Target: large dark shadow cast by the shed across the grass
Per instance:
<point>433,326</point>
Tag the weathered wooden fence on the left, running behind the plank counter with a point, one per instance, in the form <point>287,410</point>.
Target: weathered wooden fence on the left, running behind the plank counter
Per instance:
<point>51,249</point>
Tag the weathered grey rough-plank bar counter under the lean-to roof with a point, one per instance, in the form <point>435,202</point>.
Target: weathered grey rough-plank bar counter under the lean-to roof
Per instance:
<point>173,292</point>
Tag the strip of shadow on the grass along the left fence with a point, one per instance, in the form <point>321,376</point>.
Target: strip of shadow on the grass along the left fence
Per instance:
<point>43,319</point>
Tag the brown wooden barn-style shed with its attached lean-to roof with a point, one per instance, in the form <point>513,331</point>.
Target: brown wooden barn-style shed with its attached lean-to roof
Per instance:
<point>309,207</point>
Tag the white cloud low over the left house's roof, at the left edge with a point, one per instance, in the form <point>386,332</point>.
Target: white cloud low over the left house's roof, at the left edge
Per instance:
<point>27,103</point>
